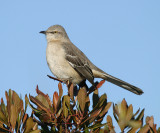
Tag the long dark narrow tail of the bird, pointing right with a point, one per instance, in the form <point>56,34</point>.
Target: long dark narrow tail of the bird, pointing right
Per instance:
<point>119,82</point>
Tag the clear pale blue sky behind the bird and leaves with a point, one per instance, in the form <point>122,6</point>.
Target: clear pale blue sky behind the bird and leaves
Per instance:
<point>120,37</point>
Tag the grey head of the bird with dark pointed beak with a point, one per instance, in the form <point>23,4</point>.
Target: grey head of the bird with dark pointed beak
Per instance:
<point>55,33</point>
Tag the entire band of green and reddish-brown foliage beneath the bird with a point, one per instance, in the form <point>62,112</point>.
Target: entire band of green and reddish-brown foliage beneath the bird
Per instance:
<point>70,113</point>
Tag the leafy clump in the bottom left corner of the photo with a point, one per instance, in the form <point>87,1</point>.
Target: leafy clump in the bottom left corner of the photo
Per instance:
<point>13,117</point>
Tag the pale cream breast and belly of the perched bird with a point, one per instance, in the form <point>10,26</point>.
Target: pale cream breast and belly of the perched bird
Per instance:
<point>59,66</point>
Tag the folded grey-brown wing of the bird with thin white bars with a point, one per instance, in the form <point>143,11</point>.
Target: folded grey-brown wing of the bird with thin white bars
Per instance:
<point>78,61</point>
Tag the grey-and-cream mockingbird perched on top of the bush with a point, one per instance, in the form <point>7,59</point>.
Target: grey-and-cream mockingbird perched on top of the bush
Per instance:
<point>67,62</point>
